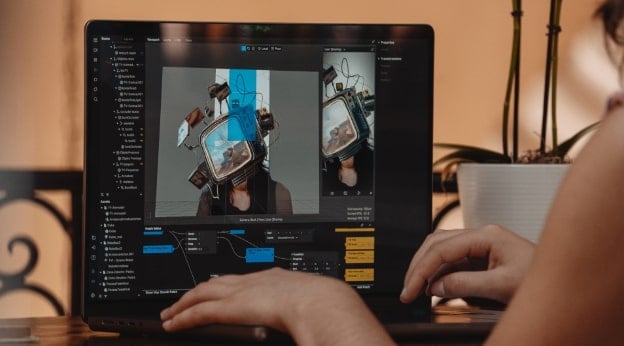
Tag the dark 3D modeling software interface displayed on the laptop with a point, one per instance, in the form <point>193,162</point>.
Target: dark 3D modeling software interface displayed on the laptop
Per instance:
<point>230,157</point>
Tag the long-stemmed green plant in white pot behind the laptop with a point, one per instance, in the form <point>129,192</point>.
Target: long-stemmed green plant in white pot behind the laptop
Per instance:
<point>488,192</point>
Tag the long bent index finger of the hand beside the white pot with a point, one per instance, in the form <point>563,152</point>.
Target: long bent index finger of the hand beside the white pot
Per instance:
<point>449,250</point>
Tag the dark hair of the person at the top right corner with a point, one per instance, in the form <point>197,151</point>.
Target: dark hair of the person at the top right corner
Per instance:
<point>611,13</point>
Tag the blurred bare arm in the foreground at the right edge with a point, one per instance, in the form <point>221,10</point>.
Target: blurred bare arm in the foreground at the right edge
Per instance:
<point>572,293</point>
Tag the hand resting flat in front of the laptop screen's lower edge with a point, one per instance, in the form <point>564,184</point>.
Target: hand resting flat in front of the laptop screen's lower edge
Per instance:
<point>313,309</point>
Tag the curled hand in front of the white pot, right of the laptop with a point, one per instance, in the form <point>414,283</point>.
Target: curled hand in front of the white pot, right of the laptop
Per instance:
<point>489,262</point>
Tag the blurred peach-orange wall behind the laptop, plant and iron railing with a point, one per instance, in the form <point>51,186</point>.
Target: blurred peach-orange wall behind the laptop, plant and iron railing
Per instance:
<point>41,86</point>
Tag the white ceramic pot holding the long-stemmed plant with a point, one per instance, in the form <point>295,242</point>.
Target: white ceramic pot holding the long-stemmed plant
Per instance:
<point>516,196</point>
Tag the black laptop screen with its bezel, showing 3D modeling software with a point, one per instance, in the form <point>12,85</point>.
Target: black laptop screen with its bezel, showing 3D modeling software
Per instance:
<point>228,148</point>
